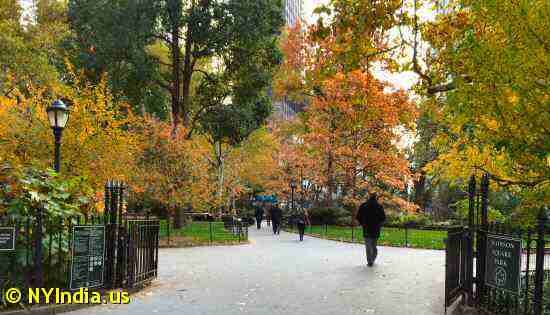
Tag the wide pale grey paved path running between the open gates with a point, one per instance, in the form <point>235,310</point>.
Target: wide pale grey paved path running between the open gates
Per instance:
<point>279,275</point>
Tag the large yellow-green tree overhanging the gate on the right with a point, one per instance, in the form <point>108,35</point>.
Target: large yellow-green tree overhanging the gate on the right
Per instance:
<point>489,67</point>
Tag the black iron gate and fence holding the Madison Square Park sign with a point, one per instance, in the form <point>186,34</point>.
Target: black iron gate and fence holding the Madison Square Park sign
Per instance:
<point>468,247</point>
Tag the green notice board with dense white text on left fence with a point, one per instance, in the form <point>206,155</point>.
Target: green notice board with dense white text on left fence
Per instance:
<point>88,250</point>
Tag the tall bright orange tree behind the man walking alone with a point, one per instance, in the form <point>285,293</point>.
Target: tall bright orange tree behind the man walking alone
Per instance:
<point>352,122</point>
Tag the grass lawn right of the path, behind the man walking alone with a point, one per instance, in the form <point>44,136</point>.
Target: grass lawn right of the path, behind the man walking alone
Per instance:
<point>390,236</point>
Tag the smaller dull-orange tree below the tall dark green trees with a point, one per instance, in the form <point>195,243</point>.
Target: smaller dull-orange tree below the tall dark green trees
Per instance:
<point>174,170</point>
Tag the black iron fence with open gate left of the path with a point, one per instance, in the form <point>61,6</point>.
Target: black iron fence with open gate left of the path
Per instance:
<point>115,249</point>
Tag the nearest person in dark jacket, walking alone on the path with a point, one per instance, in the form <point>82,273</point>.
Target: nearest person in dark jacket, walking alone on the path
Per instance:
<point>371,216</point>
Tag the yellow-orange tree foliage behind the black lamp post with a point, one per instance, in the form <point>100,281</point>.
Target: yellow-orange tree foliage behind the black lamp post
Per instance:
<point>98,142</point>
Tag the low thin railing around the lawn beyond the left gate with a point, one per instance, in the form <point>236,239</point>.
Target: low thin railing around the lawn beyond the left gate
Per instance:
<point>194,232</point>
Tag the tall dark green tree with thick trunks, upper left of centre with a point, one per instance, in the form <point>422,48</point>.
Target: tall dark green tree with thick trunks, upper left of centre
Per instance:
<point>197,36</point>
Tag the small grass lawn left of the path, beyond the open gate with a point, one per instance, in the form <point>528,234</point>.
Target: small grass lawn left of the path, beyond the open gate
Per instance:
<point>199,233</point>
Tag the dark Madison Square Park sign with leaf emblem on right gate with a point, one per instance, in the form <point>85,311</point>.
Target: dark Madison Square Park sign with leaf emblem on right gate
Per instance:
<point>503,263</point>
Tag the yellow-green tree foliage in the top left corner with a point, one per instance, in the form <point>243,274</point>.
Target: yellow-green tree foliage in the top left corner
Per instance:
<point>30,50</point>
